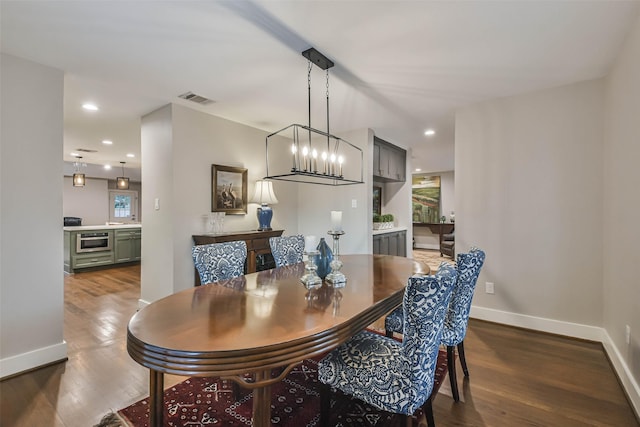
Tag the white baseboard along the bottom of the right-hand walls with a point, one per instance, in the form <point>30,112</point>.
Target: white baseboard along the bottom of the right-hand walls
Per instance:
<point>574,330</point>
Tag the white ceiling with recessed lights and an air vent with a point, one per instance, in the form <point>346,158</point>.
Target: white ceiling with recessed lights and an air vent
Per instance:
<point>401,66</point>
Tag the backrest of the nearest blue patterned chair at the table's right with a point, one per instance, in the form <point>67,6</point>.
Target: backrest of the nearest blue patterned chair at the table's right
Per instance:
<point>425,305</point>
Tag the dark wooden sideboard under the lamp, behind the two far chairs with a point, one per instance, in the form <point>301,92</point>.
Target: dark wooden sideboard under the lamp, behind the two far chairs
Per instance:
<point>257,247</point>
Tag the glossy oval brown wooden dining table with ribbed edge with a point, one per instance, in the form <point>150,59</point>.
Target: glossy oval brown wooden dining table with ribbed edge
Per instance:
<point>261,321</point>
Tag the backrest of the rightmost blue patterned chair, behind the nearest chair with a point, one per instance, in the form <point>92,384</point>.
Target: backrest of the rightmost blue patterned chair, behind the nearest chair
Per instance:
<point>455,324</point>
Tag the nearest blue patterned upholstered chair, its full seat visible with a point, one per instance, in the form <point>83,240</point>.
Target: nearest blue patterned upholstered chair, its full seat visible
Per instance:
<point>389,375</point>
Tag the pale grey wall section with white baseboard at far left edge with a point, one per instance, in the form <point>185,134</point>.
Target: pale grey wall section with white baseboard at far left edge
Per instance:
<point>31,276</point>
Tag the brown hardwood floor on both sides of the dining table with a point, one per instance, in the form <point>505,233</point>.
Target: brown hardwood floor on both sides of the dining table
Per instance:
<point>517,377</point>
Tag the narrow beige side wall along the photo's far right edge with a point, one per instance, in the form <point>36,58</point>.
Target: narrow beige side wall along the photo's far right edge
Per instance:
<point>621,293</point>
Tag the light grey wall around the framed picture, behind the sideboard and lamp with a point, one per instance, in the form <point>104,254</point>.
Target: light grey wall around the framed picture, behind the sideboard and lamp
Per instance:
<point>179,145</point>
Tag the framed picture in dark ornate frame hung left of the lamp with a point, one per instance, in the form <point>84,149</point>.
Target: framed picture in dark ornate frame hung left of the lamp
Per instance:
<point>228,190</point>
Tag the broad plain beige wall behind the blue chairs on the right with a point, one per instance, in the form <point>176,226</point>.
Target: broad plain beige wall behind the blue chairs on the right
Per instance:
<point>529,192</point>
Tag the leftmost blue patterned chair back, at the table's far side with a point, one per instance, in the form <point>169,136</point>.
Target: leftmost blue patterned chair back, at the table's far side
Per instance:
<point>219,261</point>
